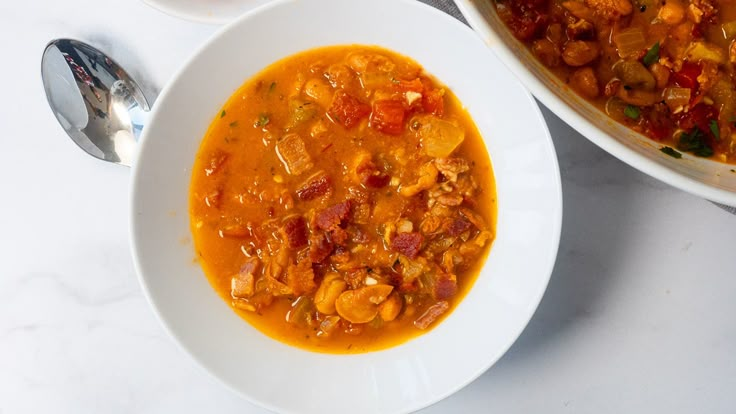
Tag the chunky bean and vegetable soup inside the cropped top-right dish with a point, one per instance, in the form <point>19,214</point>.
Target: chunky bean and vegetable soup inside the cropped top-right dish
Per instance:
<point>663,68</point>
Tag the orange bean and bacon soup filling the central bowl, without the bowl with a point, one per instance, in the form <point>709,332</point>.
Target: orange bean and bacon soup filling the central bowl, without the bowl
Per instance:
<point>342,200</point>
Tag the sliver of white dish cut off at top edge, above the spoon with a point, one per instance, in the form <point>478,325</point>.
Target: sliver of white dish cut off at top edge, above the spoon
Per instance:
<point>206,11</point>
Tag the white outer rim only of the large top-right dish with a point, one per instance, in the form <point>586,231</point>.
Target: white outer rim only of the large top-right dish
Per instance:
<point>582,125</point>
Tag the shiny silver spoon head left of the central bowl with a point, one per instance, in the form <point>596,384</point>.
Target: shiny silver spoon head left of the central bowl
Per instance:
<point>96,102</point>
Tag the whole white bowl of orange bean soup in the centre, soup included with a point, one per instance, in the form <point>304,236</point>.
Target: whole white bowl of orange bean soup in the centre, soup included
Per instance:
<point>334,210</point>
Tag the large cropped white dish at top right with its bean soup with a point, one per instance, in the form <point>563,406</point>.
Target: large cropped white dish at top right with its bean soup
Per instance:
<point>649,82</point>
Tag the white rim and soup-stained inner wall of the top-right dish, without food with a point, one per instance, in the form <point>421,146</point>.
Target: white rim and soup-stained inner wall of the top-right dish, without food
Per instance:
<point>708,179</point>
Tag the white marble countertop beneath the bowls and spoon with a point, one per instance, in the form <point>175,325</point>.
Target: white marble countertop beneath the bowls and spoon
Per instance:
<point>638,317</point>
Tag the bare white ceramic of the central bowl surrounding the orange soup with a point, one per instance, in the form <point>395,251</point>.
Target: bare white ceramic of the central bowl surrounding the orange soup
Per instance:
<point>403,378</point>
